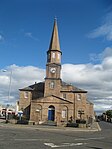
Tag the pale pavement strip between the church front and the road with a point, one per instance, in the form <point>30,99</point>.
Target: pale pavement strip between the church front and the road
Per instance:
<point>94,127</point>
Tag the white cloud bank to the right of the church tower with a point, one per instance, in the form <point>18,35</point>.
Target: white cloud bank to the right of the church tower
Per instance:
<point>95,78</point>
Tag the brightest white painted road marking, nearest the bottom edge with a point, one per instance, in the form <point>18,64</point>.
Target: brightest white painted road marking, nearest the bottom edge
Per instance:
<point>52,145</point>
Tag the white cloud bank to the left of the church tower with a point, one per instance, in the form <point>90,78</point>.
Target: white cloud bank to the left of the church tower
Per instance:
<point>20,78</point>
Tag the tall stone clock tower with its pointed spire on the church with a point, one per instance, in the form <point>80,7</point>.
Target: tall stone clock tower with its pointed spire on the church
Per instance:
<point>53,66</point>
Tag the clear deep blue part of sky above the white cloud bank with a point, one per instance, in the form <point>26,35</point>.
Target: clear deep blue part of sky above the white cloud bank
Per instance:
<point>26,26</point>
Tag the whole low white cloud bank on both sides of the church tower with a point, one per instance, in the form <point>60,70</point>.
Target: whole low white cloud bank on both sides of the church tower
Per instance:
<point>95,78</point>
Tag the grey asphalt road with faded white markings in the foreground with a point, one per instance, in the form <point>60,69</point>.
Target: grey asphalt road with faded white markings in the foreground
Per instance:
<point>27,138</point>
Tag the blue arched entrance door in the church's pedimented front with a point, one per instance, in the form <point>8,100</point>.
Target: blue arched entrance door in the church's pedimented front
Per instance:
<point>51,113</point>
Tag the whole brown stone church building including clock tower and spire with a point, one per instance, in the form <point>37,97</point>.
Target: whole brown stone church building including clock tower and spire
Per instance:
<point>53,99</point>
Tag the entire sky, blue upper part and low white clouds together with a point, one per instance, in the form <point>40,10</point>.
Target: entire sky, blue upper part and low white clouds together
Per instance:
<point>85,32</point>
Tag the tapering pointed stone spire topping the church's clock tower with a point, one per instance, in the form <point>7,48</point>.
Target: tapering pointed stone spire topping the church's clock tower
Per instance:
<point>54,44</point>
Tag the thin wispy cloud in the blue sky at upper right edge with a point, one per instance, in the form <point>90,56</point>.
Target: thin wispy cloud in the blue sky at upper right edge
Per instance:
<point>104,30</point>
